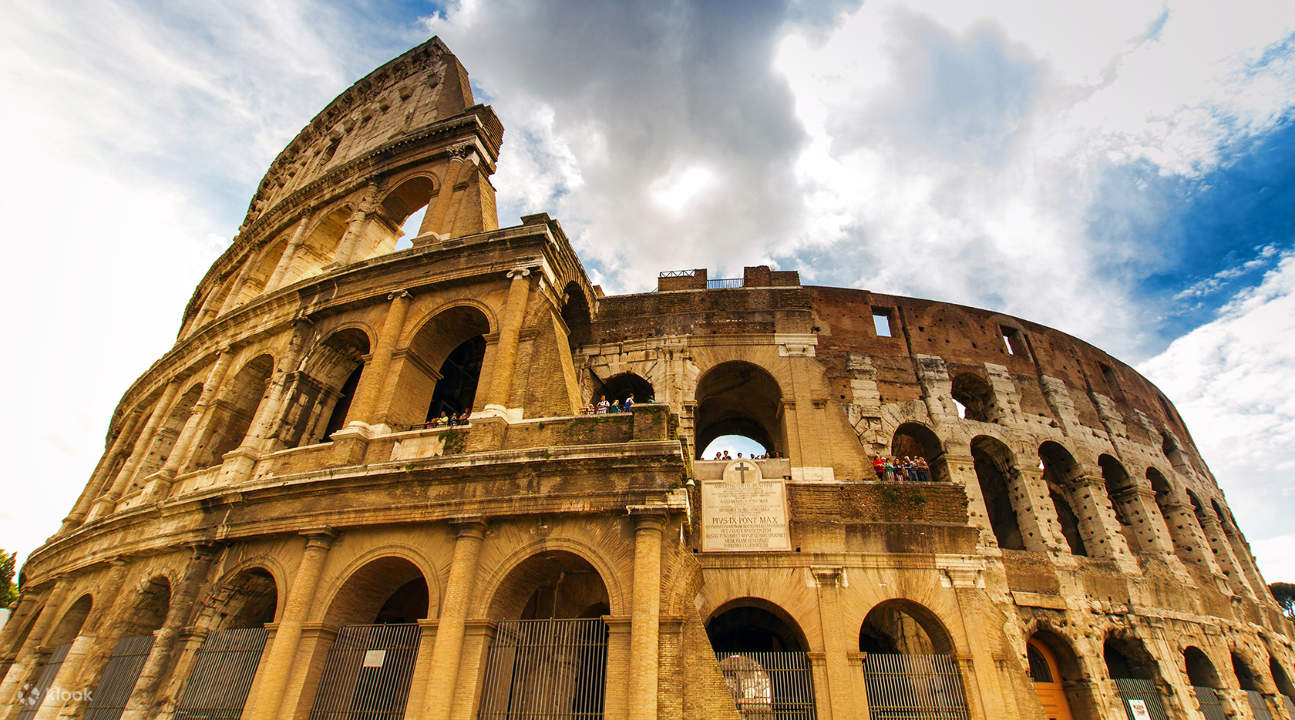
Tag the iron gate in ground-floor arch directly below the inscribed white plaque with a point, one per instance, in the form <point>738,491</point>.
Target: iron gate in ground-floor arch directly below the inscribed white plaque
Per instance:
<point>770,686</point>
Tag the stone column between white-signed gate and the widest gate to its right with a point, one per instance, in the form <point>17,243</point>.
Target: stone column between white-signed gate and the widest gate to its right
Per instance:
<point>447,652</point>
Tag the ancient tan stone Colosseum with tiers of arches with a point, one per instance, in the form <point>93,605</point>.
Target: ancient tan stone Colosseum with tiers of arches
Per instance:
<point>374,478</point>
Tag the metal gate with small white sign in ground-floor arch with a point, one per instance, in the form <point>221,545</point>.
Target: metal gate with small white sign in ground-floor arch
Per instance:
<point>368,673</point>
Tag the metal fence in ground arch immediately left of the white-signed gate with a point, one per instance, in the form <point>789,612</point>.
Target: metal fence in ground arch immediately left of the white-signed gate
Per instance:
<point>222,675</point>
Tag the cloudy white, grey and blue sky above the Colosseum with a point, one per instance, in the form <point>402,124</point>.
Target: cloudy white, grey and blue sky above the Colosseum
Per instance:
<point>1123,172</point>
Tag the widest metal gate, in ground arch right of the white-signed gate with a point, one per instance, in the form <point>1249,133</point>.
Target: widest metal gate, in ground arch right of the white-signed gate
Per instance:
<point>546,670</point>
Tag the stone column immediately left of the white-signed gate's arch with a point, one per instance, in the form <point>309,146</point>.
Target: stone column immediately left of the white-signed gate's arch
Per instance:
<point>270,703</point>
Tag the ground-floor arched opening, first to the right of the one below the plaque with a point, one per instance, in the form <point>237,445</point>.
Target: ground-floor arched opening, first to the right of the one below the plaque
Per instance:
<point>908,664</point>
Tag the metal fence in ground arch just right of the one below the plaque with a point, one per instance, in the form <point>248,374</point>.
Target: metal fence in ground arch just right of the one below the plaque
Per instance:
<point>914,688</point>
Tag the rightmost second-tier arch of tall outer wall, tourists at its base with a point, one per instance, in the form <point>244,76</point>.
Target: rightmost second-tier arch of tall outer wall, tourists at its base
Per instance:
<point>444,370</point>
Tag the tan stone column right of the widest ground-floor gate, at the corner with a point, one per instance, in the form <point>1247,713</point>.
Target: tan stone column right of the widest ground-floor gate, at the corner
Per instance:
<point>646,614</point>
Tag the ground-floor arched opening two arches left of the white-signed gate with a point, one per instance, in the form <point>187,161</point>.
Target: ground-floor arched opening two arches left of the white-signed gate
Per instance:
<point>131,651</point>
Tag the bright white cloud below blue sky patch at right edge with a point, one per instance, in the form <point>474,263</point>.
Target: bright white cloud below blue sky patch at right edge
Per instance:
<point>1233,385</point>
